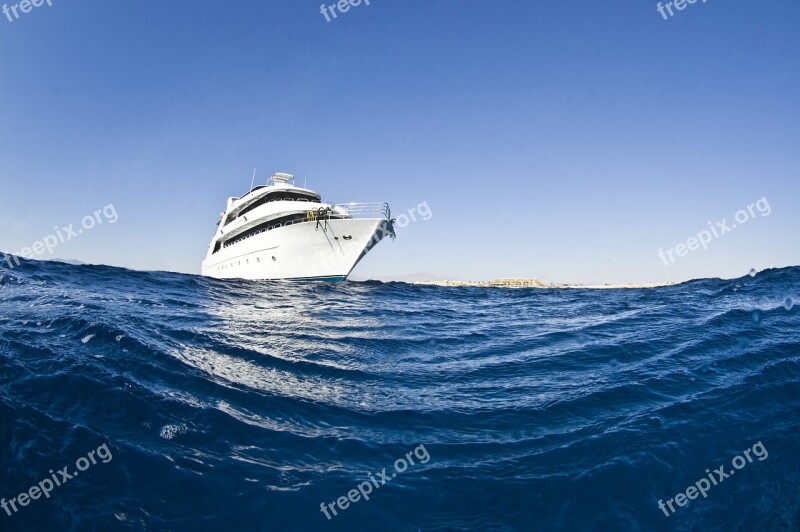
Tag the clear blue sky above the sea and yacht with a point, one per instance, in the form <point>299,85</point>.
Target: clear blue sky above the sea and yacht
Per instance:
<point>563,140</point>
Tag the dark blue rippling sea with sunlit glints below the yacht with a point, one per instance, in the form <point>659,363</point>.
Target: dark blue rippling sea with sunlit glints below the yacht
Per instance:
<point>186,403</point>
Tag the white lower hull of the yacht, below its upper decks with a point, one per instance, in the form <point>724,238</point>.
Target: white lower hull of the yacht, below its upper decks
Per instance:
<point>326,251</point>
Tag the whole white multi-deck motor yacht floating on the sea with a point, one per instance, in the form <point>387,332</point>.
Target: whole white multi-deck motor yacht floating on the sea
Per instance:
<point>281,231</point>
